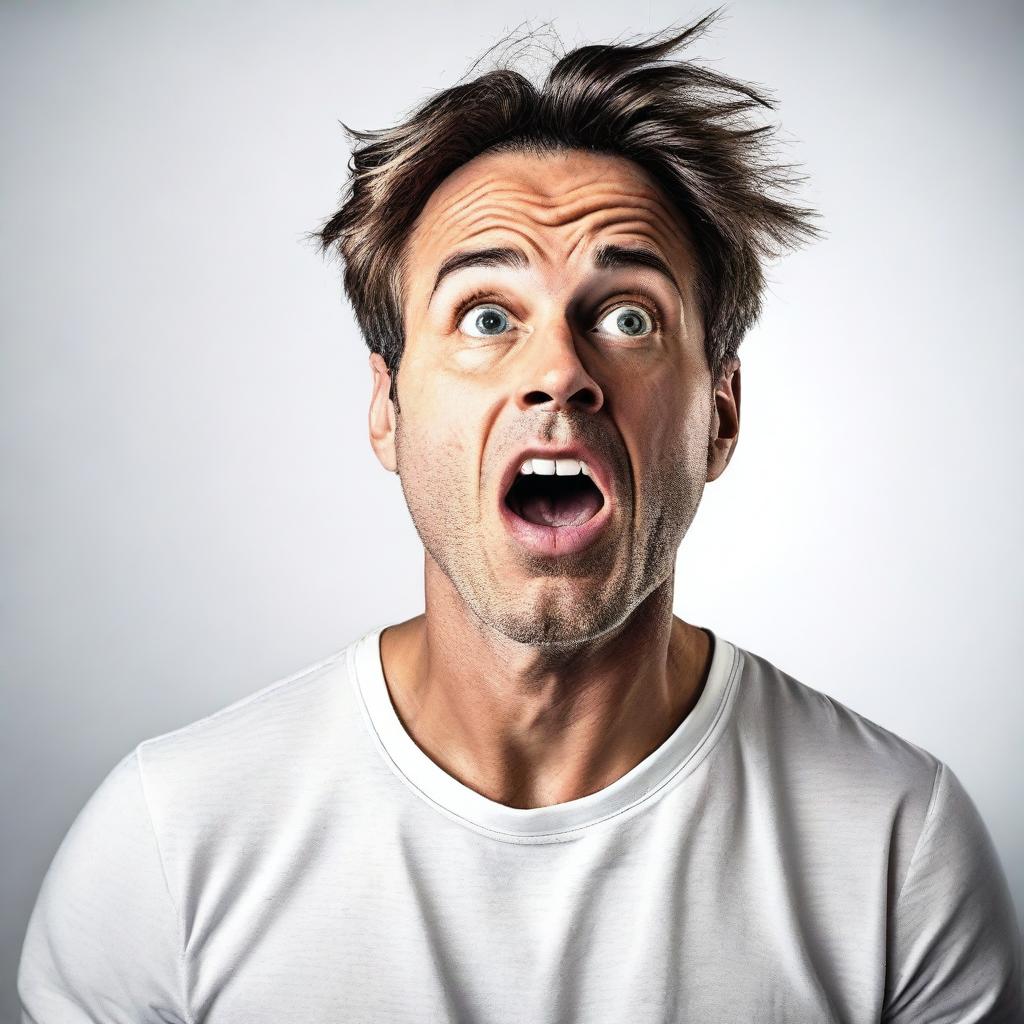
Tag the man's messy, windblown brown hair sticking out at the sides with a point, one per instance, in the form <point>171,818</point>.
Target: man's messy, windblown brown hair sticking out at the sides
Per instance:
<point>689,127</point>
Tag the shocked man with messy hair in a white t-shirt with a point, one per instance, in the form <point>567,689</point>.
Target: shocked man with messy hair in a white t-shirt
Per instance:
<point>547,798</point>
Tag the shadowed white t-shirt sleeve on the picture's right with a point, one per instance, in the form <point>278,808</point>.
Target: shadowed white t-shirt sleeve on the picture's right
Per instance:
<point>955,950</point>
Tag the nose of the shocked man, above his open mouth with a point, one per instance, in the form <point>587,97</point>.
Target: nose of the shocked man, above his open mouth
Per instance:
<point>554,378</point>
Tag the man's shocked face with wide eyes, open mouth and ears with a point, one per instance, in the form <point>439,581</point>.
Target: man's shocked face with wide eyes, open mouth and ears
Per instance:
<point>565,343</point>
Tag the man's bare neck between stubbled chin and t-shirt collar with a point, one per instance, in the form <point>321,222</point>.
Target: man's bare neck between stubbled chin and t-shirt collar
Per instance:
<point>529,727</point>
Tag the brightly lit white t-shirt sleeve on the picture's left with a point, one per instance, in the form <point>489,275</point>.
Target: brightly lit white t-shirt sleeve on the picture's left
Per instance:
<point>103,943</point>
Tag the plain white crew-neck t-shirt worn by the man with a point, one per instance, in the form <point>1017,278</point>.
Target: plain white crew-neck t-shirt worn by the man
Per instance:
<point>296,859</point>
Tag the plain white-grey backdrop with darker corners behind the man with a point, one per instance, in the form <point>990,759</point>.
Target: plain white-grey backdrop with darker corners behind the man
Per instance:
<point>191,507</point>
